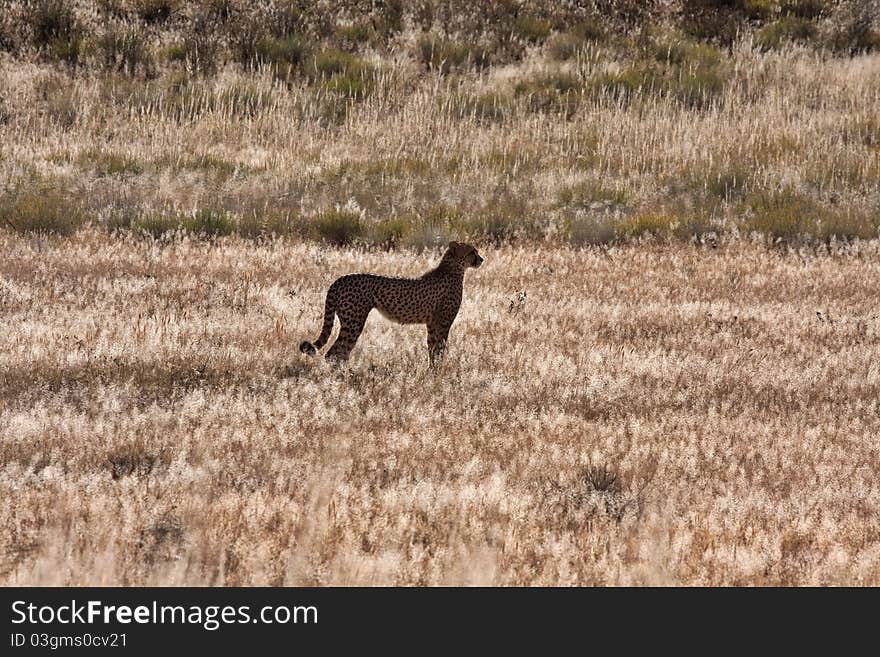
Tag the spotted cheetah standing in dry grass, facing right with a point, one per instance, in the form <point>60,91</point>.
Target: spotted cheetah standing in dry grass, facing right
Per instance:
<point>433,300</point>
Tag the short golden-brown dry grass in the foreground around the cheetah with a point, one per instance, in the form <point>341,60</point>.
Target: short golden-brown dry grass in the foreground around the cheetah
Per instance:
<point>639,415</point>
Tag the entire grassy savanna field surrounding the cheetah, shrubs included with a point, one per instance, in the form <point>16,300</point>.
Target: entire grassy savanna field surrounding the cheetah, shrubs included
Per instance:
<point>665,372</point>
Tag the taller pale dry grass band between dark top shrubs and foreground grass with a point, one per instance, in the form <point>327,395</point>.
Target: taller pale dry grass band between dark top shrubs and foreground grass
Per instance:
<point>511,152</point>
